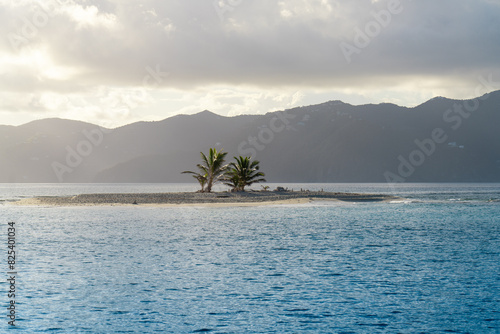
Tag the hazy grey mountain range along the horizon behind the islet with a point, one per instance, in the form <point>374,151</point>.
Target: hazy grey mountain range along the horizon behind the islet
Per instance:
<point>441,140</point>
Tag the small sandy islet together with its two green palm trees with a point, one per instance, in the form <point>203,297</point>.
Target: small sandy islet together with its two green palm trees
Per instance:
<point>241,173</point>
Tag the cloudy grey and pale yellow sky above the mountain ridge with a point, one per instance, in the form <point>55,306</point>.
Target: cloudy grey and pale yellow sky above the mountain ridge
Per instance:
<point>114,62</point>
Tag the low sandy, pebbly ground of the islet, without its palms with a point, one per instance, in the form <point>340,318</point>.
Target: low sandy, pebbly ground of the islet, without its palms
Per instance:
<point>215,199</point>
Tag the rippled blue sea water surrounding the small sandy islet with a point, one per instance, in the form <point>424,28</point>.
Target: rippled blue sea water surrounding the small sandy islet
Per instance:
<point>426,264</point>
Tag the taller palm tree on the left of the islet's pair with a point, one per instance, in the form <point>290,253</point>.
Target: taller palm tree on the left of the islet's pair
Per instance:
<point>212,169</point>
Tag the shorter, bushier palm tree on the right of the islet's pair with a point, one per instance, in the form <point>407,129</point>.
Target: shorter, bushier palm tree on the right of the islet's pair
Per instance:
<point>242,173</point>
